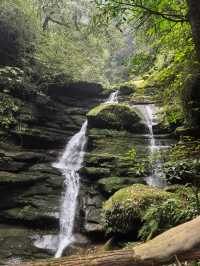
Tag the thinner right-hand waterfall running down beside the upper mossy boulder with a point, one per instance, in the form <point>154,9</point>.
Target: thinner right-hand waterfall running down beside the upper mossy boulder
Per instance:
<point>157,178</point>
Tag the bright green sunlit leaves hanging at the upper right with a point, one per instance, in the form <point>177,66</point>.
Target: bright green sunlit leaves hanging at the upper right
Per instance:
<point>164,49</point>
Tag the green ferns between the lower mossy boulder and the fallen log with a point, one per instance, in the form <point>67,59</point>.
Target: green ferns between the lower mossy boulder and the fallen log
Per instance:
<point>173,211</point>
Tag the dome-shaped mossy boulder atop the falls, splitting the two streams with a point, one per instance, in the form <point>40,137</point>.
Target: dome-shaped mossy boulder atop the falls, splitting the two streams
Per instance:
<point>116,116</point>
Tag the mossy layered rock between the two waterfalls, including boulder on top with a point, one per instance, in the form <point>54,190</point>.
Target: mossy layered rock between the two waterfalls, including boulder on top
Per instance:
<point>117,156</point>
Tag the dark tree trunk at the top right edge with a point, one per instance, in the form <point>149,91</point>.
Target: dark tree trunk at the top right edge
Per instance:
<point>194,17</point>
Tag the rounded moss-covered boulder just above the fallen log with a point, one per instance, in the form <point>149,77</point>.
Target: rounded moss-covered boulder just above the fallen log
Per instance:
<point>123,212</point>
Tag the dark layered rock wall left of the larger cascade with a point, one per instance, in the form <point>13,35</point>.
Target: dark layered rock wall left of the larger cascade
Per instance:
<point>30,187</point>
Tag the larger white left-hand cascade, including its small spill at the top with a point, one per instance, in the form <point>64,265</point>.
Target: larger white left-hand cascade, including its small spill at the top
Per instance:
<point>69,164</point>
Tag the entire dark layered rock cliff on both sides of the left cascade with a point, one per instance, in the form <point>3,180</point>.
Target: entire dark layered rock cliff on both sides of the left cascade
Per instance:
<point>116,157</point>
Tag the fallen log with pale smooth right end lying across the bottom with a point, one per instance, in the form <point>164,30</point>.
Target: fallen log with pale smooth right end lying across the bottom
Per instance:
<point>179,243</point>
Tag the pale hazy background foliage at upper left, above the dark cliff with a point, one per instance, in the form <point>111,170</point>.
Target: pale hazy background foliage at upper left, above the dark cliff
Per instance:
<point>66,45</point>
